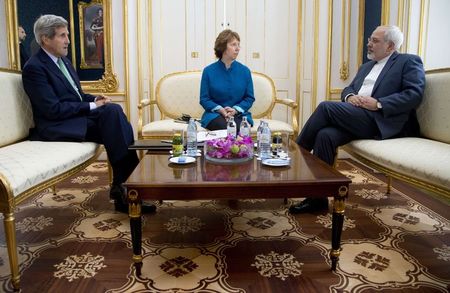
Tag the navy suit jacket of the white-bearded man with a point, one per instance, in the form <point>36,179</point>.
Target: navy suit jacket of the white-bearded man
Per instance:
<point>399,88</point>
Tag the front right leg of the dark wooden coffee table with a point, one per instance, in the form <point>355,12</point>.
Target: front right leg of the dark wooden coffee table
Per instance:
<point>337,224</point>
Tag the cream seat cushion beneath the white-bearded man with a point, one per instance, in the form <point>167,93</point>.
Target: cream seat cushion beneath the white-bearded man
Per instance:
<point>424,159</point>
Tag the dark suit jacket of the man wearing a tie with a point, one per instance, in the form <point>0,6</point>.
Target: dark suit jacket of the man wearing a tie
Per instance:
<point>58,112</point>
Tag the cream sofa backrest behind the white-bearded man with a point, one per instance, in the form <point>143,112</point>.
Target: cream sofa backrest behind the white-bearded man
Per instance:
<point>433,111</point>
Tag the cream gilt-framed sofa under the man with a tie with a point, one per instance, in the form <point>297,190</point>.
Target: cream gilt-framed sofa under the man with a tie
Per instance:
<point>27,167</point>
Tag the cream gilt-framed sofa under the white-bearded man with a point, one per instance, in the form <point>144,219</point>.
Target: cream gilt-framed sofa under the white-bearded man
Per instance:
<point>423,161</point>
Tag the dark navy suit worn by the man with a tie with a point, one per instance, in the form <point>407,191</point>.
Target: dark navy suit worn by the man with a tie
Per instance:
<point>60,115</point>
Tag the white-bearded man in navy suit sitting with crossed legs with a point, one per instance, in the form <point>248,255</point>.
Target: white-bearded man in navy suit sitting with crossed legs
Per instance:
<point>379,103</point>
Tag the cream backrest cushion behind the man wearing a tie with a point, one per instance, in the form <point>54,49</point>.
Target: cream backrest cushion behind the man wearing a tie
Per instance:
<point>17,116</point>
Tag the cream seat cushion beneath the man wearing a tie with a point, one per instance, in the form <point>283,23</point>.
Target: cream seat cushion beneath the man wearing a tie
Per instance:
<point>29,163</point>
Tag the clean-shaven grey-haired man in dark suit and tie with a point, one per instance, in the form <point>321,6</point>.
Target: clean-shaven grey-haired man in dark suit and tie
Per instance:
<point>62,112</point>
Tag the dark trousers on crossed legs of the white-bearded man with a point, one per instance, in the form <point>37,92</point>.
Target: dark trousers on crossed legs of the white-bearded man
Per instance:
<point>334,124</point>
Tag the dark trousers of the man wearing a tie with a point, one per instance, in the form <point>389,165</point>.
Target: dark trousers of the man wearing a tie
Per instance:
<point>109,126</point>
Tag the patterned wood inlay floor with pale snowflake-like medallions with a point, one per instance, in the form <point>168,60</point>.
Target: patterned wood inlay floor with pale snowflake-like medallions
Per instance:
<point>74,241</point>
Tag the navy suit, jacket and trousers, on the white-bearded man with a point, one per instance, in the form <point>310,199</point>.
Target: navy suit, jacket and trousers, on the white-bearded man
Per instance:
<point>399,88</point>
